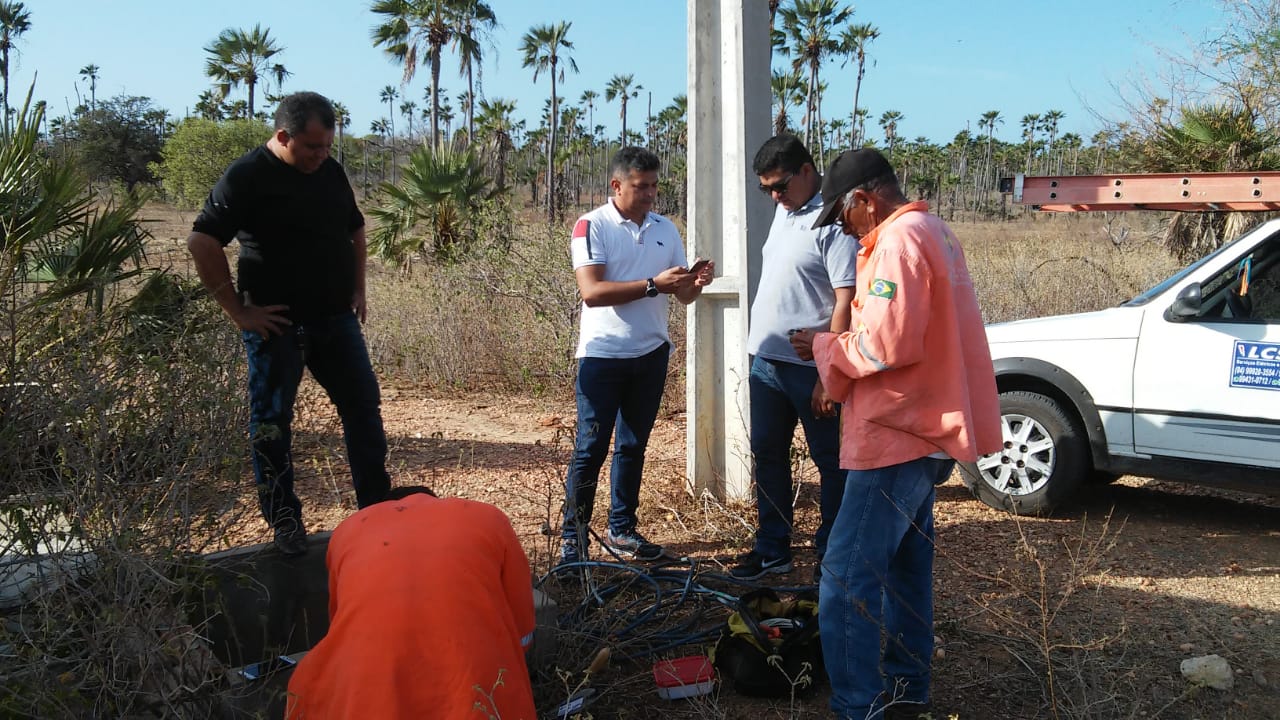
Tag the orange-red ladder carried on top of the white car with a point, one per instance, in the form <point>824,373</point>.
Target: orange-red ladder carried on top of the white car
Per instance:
<point>1148,192</point>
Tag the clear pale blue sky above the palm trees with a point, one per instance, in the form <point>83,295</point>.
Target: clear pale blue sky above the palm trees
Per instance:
<point>940,63</point>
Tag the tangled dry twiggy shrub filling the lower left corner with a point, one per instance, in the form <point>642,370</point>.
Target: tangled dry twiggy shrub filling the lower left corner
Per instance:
<point>116,468</point>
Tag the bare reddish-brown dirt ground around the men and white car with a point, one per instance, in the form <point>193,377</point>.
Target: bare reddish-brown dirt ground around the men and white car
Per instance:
<point>1121,590</point>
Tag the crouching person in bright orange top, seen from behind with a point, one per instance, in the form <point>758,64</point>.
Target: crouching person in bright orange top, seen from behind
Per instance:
<point>431,608</point>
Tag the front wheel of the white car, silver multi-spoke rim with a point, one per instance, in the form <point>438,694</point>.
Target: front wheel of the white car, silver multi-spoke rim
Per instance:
<point>1043,463</point>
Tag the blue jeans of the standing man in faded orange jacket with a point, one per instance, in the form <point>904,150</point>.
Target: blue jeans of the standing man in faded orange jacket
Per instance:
<point>879,581</point>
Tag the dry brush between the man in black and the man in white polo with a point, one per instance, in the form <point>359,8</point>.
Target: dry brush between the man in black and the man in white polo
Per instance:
<point>504,320</point>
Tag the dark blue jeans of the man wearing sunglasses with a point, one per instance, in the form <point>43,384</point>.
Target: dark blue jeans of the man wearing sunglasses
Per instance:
<point>781,397</point>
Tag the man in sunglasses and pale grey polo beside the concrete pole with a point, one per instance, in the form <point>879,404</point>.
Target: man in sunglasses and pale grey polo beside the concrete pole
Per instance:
<point>807,282</point>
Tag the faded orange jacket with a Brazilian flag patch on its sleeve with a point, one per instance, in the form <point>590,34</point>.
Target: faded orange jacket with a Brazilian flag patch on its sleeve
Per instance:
<point>915,375</point>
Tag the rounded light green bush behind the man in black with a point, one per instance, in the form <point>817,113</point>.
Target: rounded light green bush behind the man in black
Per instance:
<point>199,152</point>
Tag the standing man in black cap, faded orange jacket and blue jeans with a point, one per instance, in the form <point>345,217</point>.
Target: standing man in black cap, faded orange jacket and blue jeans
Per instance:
<point>916,380</point>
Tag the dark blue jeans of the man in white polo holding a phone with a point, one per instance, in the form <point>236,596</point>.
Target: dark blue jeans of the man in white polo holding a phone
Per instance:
<point>621,393</point>
